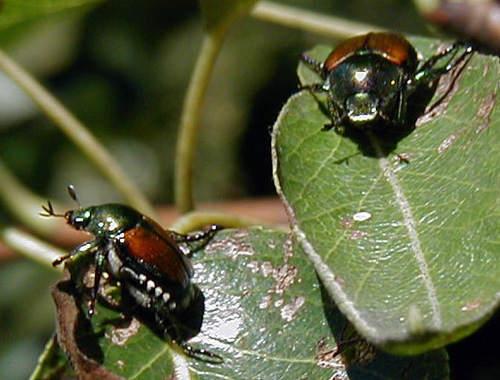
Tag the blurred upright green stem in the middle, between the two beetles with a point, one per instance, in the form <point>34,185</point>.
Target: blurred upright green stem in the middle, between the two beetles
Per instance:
<point>191,119</point>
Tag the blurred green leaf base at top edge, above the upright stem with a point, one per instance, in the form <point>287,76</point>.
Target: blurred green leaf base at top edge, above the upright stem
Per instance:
<point>220,14</point>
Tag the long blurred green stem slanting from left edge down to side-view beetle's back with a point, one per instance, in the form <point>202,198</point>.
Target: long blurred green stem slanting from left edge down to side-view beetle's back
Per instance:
<point>77,132</point>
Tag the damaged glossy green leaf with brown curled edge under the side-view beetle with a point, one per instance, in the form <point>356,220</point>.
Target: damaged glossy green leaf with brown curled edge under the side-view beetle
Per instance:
<point>266,315</point>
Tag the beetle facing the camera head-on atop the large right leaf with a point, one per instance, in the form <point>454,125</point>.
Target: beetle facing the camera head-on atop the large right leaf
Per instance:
<point>369,78</point>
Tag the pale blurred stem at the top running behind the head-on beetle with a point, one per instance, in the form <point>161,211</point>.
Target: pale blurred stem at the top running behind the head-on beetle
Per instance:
<point>312,22</point>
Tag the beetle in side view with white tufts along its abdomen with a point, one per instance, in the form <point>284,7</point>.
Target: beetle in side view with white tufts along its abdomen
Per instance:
<point>146,262</point>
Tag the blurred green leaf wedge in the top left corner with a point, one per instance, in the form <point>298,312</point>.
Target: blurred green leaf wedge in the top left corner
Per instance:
<point>13,12</point>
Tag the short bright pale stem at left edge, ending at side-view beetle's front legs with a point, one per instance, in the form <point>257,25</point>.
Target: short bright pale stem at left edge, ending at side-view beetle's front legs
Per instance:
<point>30,246</point>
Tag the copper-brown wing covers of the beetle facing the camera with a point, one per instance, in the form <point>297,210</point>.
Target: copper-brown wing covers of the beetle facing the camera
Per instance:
<point>393,47</point>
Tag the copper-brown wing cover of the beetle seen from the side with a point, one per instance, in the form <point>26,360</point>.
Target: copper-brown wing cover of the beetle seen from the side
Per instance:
<point>159,250</point>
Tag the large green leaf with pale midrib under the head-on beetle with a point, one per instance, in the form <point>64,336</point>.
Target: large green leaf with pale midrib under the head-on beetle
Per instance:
<point>403,234</point>
